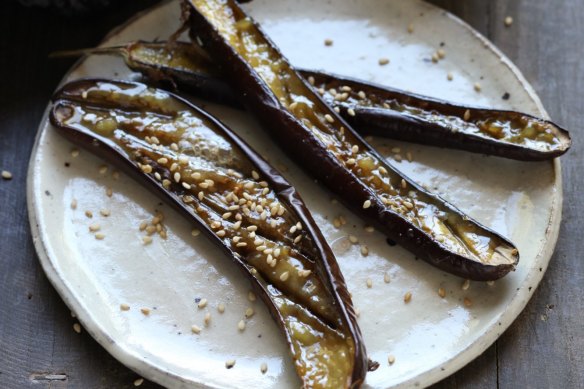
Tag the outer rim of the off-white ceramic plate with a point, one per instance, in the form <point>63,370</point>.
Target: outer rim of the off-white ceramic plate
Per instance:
<point>162,375</point>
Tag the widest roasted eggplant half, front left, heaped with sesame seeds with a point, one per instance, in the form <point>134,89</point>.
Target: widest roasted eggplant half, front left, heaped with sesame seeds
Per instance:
<point>239,201</point>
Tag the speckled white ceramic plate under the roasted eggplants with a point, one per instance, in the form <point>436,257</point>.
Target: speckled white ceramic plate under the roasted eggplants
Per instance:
<point>431,337</point>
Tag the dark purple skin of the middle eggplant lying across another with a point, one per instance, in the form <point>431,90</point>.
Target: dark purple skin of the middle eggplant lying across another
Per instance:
<point>292,136</point>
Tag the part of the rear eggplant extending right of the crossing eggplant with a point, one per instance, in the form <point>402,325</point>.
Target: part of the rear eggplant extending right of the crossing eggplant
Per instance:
<point>399,115</point>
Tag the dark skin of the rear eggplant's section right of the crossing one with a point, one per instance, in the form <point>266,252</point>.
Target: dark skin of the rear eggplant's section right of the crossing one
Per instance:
<point>395,125</point>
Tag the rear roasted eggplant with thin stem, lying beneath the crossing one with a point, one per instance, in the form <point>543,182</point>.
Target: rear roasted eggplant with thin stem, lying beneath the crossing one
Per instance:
<point>370,109</point>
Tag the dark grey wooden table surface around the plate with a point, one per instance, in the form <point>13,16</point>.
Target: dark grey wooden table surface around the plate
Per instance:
<point>544,348</point>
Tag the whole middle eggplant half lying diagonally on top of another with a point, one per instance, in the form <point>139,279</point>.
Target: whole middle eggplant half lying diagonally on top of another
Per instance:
<point>314,135</point>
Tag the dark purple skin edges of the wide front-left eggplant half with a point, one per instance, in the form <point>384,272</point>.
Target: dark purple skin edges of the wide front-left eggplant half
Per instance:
<point>328,266</point>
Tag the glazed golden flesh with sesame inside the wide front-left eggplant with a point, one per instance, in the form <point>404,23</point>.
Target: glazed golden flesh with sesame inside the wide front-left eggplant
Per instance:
<point>189,157</point>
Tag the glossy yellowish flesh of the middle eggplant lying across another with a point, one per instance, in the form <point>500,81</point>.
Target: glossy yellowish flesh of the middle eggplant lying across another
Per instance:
<point>446,227</point>
